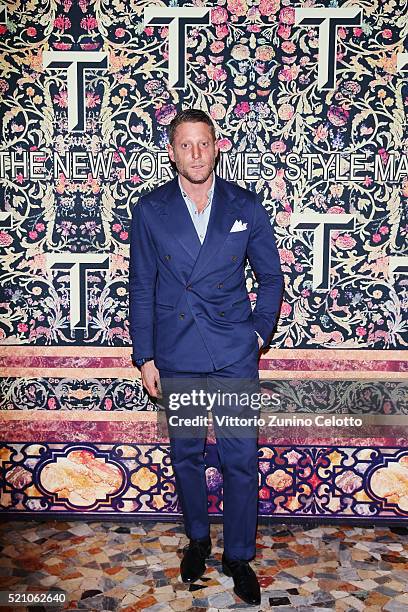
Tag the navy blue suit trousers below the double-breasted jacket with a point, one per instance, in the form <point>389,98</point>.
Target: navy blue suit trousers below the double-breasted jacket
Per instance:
<point>234,419</point>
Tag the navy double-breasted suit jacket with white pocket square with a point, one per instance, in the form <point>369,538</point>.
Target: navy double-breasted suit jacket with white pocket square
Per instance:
<point>189,307</point>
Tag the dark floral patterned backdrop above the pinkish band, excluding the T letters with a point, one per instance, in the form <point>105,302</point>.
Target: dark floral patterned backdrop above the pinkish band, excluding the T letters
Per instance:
<point>254,71</point>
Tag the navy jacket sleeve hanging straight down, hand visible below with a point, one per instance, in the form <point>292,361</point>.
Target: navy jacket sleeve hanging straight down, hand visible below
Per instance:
<point>142,282</point>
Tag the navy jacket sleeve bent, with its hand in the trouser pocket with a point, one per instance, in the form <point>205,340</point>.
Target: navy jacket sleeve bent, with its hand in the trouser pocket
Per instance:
<point>263,257</point>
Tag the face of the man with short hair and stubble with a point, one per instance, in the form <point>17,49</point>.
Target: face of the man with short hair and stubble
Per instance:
<point>194,151</point>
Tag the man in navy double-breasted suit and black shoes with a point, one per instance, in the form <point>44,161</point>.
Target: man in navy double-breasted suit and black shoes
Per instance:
<point>191,320</point>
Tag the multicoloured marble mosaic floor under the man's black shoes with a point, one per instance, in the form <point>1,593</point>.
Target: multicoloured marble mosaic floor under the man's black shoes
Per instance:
<point>134,566</point>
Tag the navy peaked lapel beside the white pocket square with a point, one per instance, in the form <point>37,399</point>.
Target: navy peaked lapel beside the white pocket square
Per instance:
<point>224,209</point>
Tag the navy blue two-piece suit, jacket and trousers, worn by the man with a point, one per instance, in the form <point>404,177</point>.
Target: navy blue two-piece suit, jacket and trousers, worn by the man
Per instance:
<point>189,309</point>
